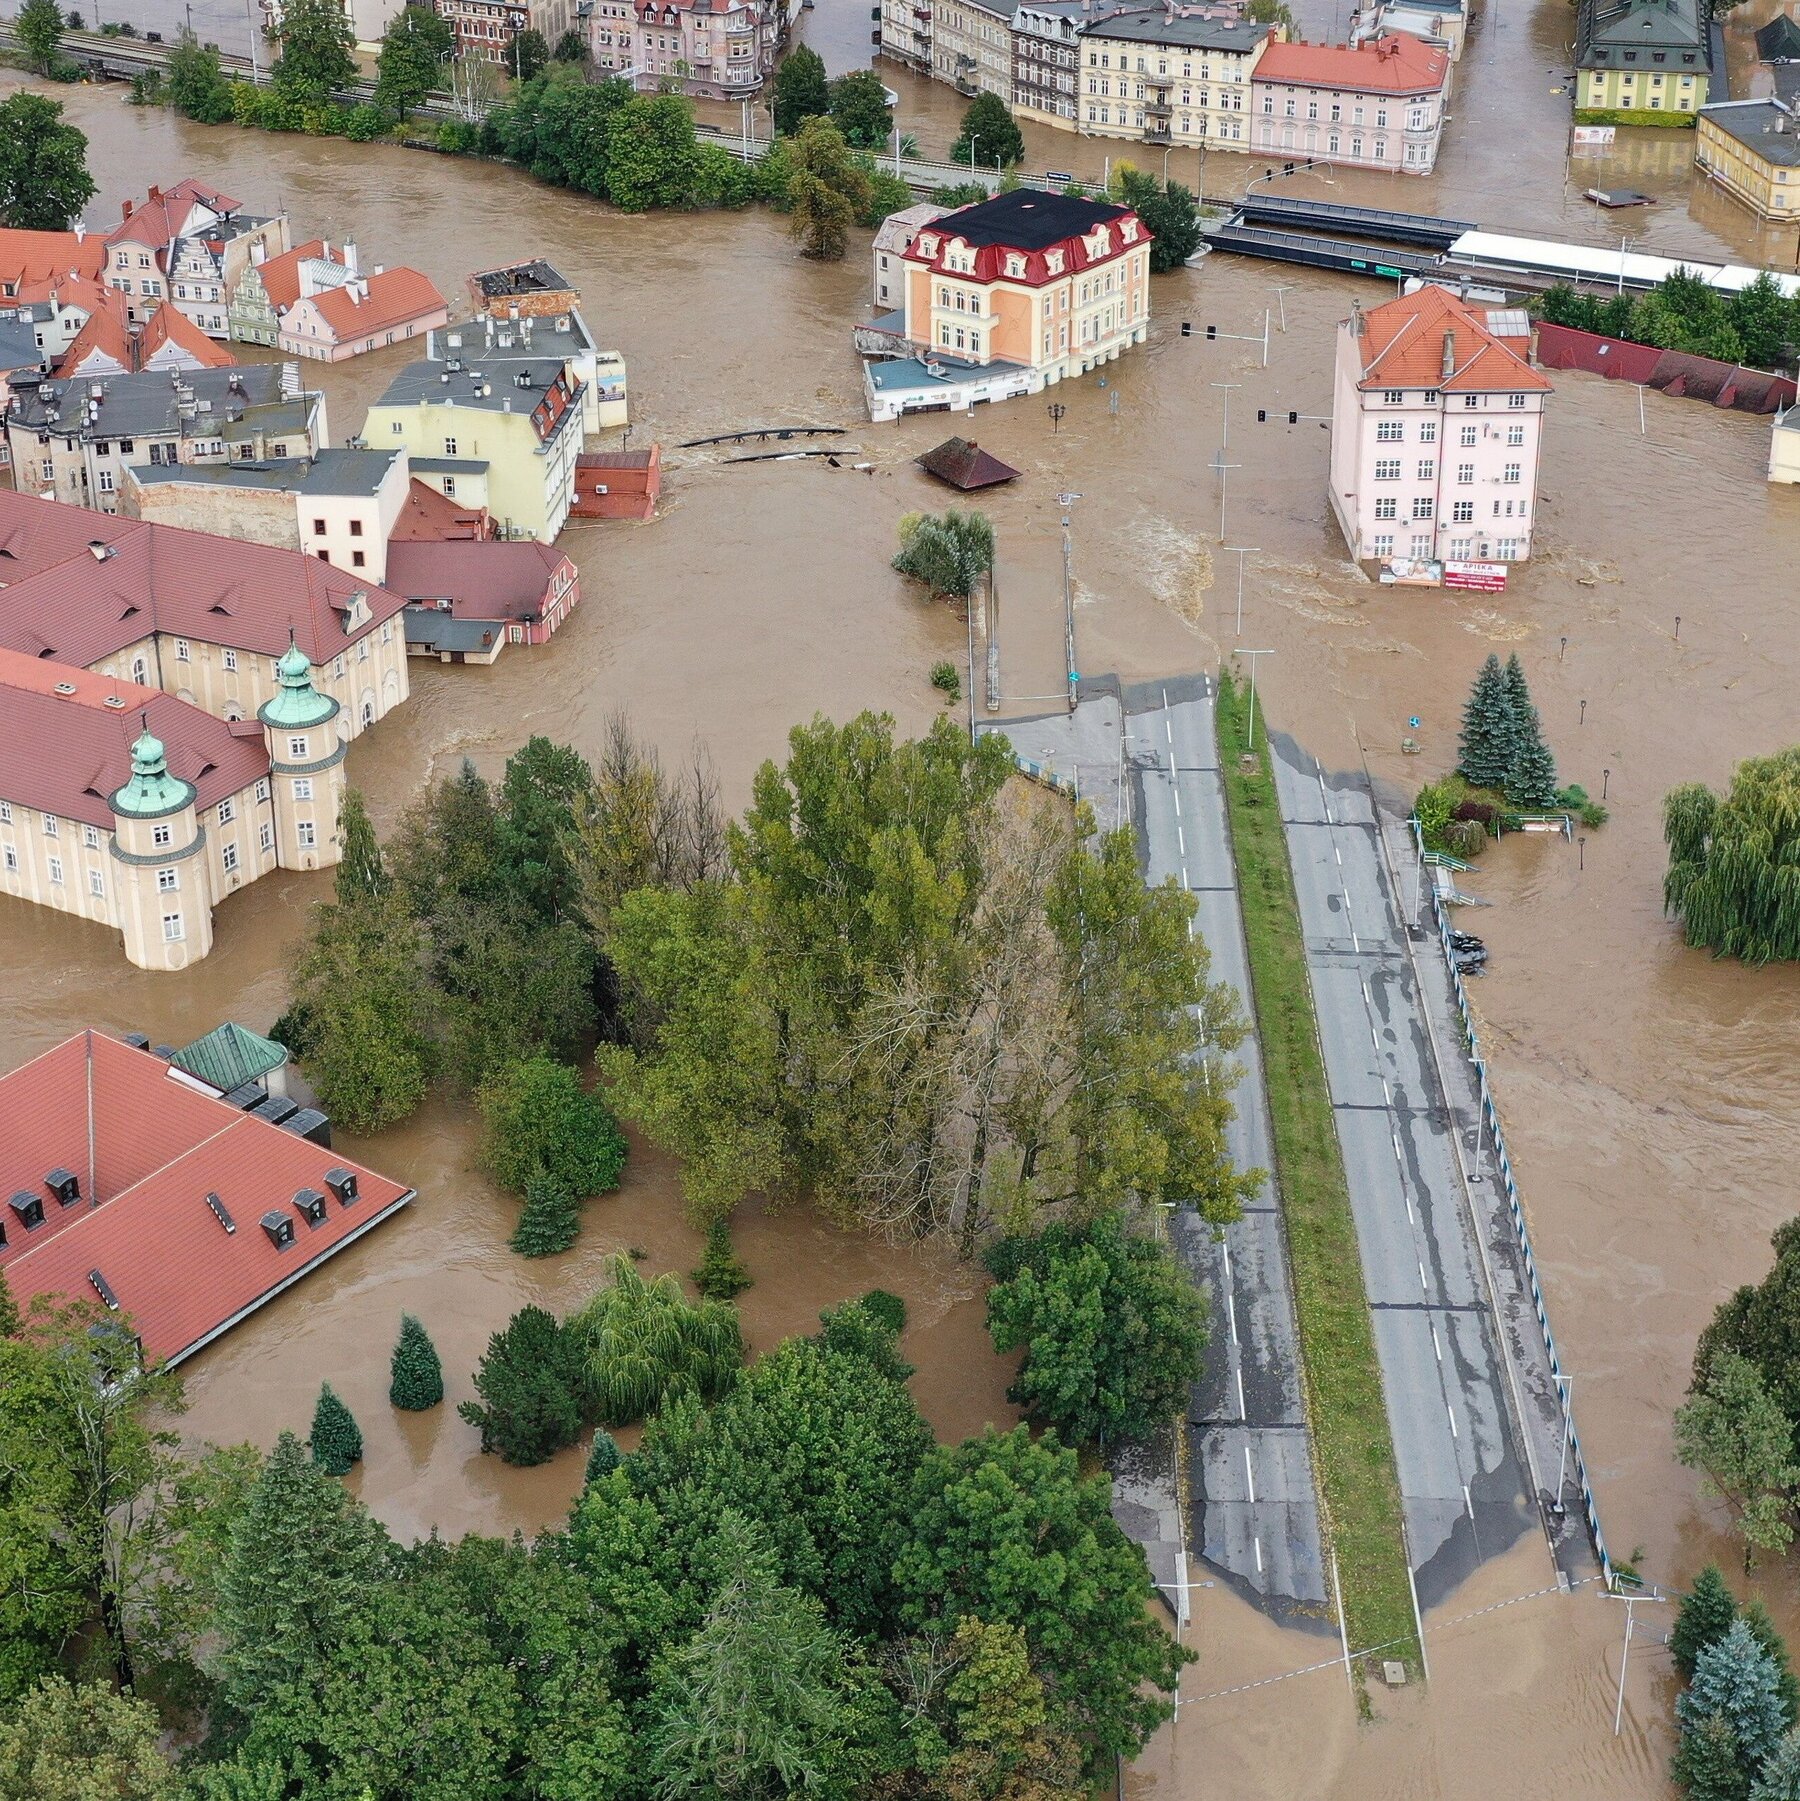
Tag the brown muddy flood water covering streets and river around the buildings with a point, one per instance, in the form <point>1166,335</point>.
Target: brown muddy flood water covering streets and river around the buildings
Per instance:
<point>1651,1096</point>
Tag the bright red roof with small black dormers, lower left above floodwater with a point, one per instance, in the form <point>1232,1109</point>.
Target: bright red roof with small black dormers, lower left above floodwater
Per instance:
<point>147,1152</point>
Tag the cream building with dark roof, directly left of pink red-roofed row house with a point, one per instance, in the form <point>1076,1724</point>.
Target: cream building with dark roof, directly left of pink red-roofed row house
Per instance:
<point>1168,80</point>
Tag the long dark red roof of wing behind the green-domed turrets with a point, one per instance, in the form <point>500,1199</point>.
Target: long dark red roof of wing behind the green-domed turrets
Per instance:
<point>66,602</point>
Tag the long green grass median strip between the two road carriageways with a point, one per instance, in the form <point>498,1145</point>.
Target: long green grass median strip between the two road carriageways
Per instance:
<point>1352,1440</point>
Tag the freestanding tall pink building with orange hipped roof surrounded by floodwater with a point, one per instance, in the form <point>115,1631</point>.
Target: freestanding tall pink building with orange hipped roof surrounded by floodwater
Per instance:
<point>1437,421</point>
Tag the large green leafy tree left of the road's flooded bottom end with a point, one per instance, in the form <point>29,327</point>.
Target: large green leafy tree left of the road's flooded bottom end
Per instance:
<point>1008,1530</point>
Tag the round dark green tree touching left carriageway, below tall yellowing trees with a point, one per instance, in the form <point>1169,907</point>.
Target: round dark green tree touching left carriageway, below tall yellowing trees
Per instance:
<point>1111,1326</point>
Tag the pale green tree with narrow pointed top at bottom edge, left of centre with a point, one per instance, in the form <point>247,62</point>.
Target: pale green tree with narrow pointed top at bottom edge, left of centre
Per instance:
<point>761,1703</point>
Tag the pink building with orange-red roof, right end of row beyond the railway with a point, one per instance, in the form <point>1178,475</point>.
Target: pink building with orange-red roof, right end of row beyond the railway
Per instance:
<point>1377,105</point>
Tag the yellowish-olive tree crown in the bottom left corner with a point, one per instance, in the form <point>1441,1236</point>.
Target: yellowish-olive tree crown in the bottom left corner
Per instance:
<point>84,1744</point>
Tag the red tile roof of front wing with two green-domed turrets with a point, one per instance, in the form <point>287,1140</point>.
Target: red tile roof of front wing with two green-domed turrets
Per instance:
<point>69,754</point>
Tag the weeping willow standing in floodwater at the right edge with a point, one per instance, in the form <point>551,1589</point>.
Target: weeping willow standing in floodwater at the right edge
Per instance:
<point>1734,864</point>
